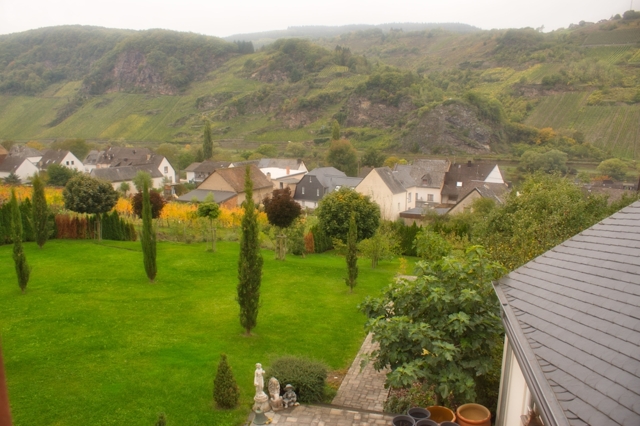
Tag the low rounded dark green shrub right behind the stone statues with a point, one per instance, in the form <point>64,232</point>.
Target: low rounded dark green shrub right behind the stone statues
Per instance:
<point>307,377</point>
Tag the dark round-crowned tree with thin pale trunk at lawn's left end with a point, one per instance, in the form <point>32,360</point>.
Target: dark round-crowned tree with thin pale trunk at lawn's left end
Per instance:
<point>85,194</point>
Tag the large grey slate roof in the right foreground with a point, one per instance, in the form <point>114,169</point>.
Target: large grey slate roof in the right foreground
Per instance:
<point>572,316</point>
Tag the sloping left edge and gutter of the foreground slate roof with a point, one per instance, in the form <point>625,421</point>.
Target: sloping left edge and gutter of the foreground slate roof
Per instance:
<point>550,410</point>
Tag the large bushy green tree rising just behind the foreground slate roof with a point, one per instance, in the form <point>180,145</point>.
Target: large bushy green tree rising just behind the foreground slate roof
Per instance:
<point>542,213</point>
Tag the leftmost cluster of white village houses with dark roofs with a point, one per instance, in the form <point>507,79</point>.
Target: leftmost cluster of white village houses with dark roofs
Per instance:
<point>115,165</point>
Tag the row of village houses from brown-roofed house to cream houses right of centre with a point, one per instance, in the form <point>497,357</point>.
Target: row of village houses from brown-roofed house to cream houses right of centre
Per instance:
<point>405,191</point>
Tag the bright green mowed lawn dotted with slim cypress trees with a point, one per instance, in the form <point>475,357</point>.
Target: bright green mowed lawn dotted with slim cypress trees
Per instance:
<point>93,343</point>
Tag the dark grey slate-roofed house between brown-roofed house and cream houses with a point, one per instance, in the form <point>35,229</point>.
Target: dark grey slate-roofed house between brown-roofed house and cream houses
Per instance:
<point>319,182</point>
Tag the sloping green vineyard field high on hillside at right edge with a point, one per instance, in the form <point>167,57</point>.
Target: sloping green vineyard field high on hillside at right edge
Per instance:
<point>614,128</point>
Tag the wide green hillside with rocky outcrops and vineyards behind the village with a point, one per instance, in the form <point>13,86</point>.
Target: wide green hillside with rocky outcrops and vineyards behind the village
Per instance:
<point>432,91</point>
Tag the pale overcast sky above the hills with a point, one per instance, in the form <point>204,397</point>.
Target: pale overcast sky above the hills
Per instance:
<point>226,17</point>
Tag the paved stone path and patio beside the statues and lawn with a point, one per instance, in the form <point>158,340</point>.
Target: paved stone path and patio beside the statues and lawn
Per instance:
<point>359,400</point>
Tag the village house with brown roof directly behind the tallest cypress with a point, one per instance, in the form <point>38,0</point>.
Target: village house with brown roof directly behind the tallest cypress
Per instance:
<point>232,180</point>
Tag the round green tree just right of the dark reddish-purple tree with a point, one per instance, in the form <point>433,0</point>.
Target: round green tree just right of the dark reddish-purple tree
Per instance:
<point>334,212</point>
